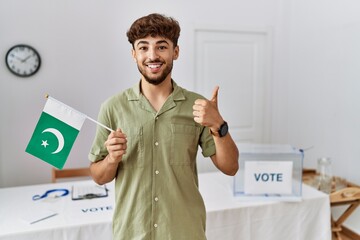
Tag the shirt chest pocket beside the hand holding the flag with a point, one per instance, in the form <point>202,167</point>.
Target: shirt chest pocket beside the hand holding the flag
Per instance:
<point>134,156</point>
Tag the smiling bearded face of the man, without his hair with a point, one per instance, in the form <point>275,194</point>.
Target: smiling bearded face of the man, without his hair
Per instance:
<point>154,57</point>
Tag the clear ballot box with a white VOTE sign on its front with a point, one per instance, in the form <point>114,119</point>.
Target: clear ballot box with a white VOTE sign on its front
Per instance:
<point>267,171</point>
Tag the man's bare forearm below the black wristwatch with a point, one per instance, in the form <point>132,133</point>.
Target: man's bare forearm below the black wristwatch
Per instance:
<point>227,155</point>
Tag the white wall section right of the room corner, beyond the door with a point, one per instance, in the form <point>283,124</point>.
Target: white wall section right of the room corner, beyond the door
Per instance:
<point>323,84</point>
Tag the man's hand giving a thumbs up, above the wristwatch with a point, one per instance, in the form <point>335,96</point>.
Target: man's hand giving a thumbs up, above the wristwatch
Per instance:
<point>206,112</point>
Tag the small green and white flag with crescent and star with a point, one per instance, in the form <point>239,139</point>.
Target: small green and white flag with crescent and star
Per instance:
<point>55,133</point>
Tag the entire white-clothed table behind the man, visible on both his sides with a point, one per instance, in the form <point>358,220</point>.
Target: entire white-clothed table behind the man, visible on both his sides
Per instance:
<point>228,218</point>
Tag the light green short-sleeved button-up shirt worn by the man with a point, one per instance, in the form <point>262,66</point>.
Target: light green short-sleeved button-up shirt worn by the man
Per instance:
<point>157,196</point>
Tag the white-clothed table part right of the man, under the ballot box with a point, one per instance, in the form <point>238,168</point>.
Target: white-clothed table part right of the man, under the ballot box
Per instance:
<point>230,218</point>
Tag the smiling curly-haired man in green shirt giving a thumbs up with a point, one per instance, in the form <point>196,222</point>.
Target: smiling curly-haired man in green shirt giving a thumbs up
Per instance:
<point>152,154</point>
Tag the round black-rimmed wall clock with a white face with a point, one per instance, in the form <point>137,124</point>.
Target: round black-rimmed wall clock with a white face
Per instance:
<point>23,60</point>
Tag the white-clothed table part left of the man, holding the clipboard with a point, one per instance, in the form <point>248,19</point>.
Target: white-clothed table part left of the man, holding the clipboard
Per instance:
<point>76,220</point>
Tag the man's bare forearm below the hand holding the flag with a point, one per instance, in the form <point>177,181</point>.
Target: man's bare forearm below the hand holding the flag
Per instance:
<point>103,171</point>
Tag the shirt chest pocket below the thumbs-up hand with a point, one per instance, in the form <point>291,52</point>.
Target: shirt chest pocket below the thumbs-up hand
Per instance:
<point>184,144</point>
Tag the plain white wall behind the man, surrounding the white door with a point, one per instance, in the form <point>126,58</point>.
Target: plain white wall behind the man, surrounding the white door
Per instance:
<point>86,58</point>
